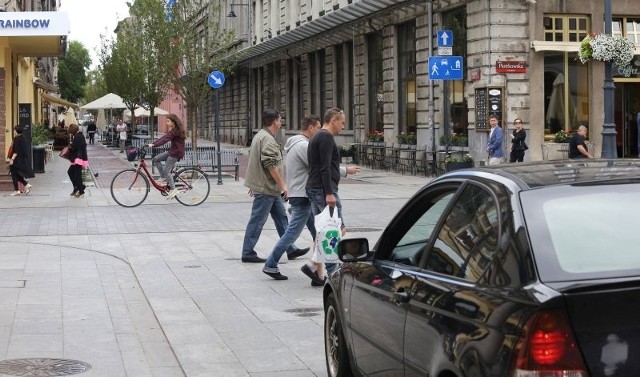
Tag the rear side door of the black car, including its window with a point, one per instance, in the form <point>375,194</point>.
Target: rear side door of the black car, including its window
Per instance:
<point>452,324</point>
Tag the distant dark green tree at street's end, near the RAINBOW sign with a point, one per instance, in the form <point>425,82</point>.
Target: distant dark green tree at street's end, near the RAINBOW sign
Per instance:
<point>72,72</point>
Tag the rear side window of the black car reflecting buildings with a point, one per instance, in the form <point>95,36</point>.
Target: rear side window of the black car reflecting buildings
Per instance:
<point>467,240</point>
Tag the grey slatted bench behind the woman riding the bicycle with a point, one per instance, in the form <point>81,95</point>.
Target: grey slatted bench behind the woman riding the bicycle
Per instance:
<point>206,158</point>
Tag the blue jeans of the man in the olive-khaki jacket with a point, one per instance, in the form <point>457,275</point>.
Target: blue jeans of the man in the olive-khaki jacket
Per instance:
<point>263,205</point>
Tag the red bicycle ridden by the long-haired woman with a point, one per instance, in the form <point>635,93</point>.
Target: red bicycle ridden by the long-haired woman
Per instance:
<point>130,187</point>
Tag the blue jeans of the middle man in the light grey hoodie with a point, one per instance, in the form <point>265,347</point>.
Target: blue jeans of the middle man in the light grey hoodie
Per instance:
<point>300,215</point>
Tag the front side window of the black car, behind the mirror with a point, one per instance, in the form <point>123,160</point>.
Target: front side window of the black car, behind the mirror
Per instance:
<point>415,238</point>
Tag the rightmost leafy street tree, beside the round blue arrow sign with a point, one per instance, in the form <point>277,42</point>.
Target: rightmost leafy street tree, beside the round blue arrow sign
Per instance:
<point>201,44</point>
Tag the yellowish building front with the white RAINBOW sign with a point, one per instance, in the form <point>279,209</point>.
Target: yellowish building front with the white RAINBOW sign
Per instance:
<point>33,34</point>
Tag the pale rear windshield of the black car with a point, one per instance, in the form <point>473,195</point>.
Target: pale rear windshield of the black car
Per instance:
<point>584,232</point>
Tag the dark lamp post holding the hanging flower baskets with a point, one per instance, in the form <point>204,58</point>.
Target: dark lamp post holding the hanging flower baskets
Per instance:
<point>609,149</point>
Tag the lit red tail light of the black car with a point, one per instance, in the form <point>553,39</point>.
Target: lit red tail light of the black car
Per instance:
<point>549,348</point>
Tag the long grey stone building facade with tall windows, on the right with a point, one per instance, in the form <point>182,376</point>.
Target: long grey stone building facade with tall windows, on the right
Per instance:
<point>518,58</point>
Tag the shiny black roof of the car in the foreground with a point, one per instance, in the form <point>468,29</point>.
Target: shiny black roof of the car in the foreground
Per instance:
<point>547,173</point>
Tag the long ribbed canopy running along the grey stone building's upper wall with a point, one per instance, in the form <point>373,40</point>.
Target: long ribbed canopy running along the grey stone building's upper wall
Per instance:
<point>334,27</point>
